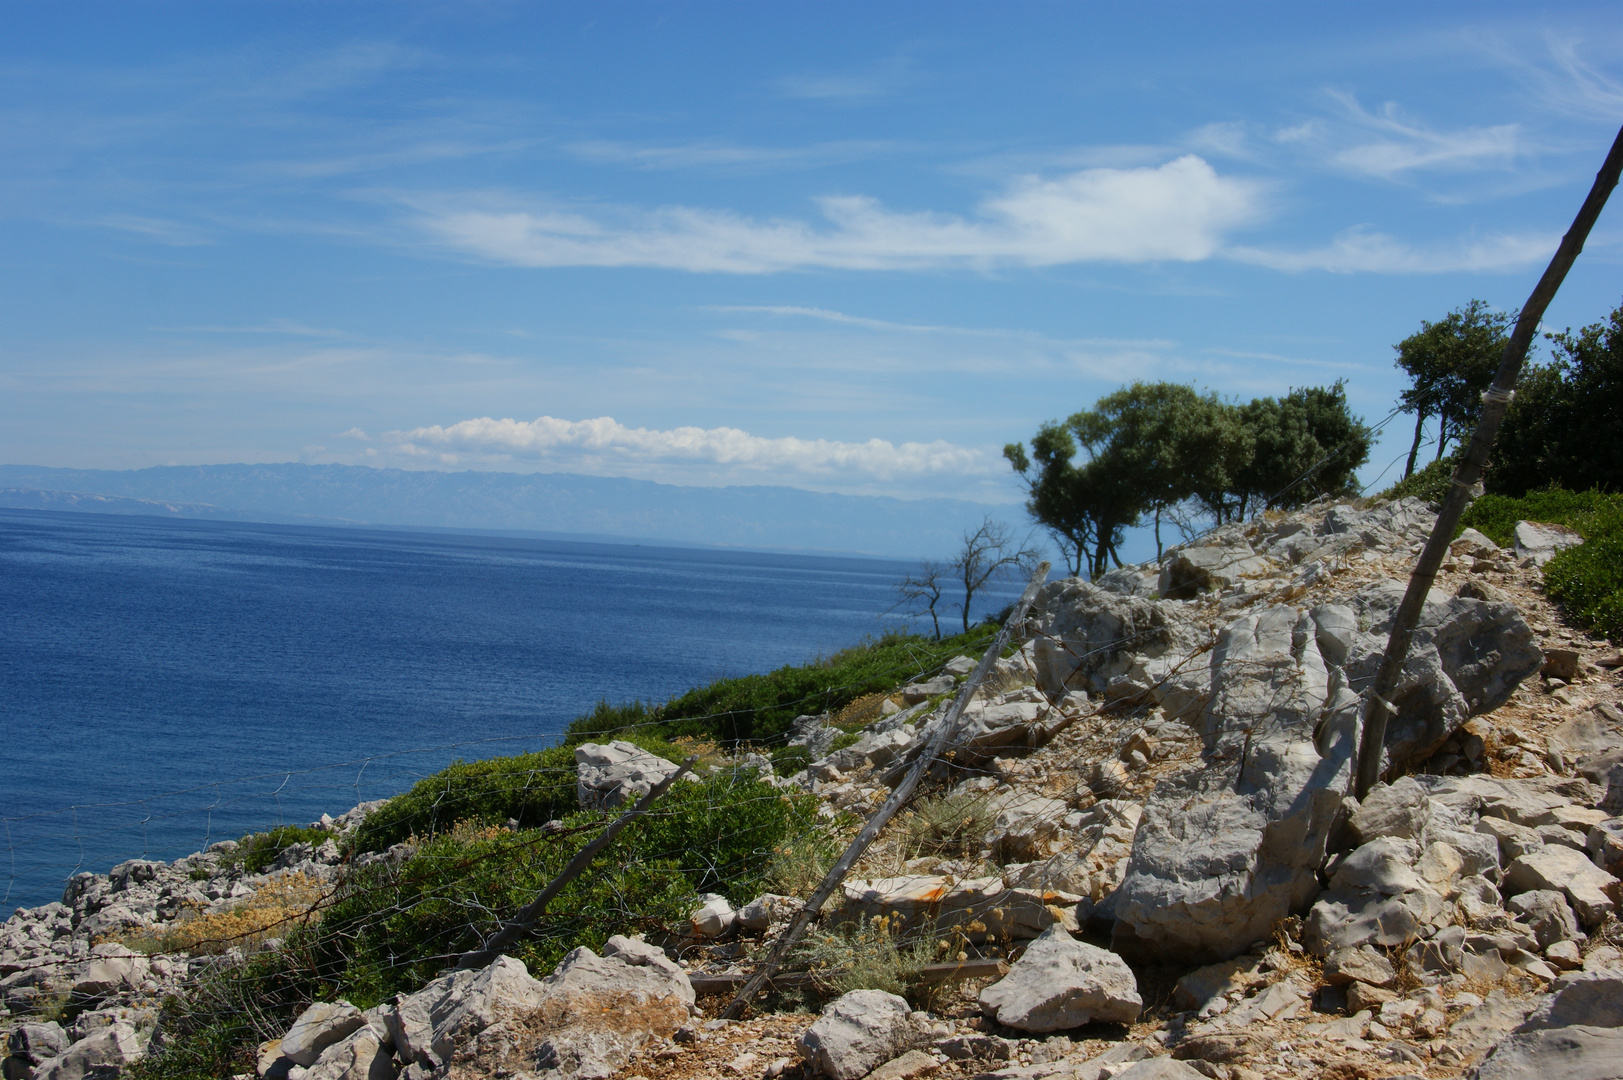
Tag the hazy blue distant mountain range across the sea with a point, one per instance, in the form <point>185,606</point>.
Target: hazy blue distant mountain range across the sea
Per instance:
<point>530,503</point>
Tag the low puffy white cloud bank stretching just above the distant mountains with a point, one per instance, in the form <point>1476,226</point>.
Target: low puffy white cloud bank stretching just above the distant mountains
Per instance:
<point>606,443</point>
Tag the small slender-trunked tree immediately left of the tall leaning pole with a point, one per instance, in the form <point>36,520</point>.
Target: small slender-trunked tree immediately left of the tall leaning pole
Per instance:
<point>1450,365</point>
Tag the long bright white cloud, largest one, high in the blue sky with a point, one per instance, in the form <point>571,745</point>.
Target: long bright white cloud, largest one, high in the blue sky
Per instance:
<point>1181,210</point>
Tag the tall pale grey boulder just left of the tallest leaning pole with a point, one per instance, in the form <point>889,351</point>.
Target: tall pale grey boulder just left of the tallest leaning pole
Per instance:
<point>1225,853</point>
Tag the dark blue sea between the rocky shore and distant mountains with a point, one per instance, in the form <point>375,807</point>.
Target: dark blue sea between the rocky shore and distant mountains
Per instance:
<point>170,683</point>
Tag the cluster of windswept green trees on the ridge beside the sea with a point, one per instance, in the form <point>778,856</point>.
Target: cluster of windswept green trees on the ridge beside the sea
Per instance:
<point>1168,452</point>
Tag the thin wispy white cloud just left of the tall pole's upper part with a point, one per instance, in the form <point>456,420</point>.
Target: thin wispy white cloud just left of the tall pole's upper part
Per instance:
<point>1364,251</point>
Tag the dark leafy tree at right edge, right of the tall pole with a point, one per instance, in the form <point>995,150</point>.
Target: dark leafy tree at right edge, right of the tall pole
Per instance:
<point>1567,421</point>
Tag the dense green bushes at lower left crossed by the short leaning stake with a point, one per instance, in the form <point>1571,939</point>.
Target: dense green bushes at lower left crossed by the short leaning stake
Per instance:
<point>395,928</point>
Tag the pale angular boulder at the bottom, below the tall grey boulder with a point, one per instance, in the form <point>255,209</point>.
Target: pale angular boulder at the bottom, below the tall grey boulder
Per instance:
<point>1062,983</point>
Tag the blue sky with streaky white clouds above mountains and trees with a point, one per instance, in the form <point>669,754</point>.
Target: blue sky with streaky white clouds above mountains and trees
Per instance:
<point>851,248</point>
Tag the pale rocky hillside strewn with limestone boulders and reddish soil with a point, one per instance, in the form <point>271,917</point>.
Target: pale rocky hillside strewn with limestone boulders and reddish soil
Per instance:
<point>1140,860</point>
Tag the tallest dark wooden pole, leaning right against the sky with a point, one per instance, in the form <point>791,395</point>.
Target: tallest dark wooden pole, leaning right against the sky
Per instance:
<point>1470,470</point>
